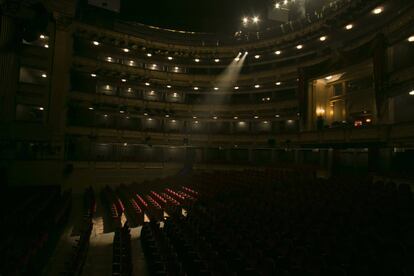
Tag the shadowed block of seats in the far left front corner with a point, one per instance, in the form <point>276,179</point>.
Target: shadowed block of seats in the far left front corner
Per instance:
<point>32,220</point>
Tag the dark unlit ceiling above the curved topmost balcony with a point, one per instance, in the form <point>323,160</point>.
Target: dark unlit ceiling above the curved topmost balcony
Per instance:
<point>218,16</point>
